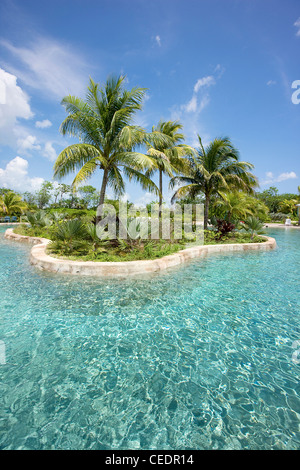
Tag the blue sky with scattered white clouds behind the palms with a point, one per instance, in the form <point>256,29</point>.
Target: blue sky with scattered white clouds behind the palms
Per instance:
<point>222,67</point>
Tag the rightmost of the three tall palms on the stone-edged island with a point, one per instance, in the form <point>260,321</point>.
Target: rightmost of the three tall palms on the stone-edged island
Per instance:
<point>214,170</point>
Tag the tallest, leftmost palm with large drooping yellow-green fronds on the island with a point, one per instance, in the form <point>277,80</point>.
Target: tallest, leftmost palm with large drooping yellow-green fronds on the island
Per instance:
<point>103,124</point>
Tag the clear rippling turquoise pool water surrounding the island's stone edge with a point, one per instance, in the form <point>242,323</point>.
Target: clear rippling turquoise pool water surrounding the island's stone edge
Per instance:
<point>200,357</point>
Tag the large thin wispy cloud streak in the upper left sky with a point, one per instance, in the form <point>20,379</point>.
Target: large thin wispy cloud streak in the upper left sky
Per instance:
<point>50,67</point>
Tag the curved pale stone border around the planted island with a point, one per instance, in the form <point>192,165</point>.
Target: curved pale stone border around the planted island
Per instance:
<point>40,259</point>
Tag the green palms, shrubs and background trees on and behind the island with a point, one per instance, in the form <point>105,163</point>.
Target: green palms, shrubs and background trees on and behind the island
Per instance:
<point>109,143</point>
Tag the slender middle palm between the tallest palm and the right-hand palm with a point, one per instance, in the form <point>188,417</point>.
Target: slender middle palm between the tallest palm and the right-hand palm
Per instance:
<point>167,157</point>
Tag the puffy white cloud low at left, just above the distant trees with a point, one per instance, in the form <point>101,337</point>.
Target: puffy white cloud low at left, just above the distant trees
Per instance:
<point>15,176</point>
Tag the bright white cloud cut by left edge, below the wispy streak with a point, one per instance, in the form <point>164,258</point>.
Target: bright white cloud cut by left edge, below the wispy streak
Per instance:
<point>14,106</point>
